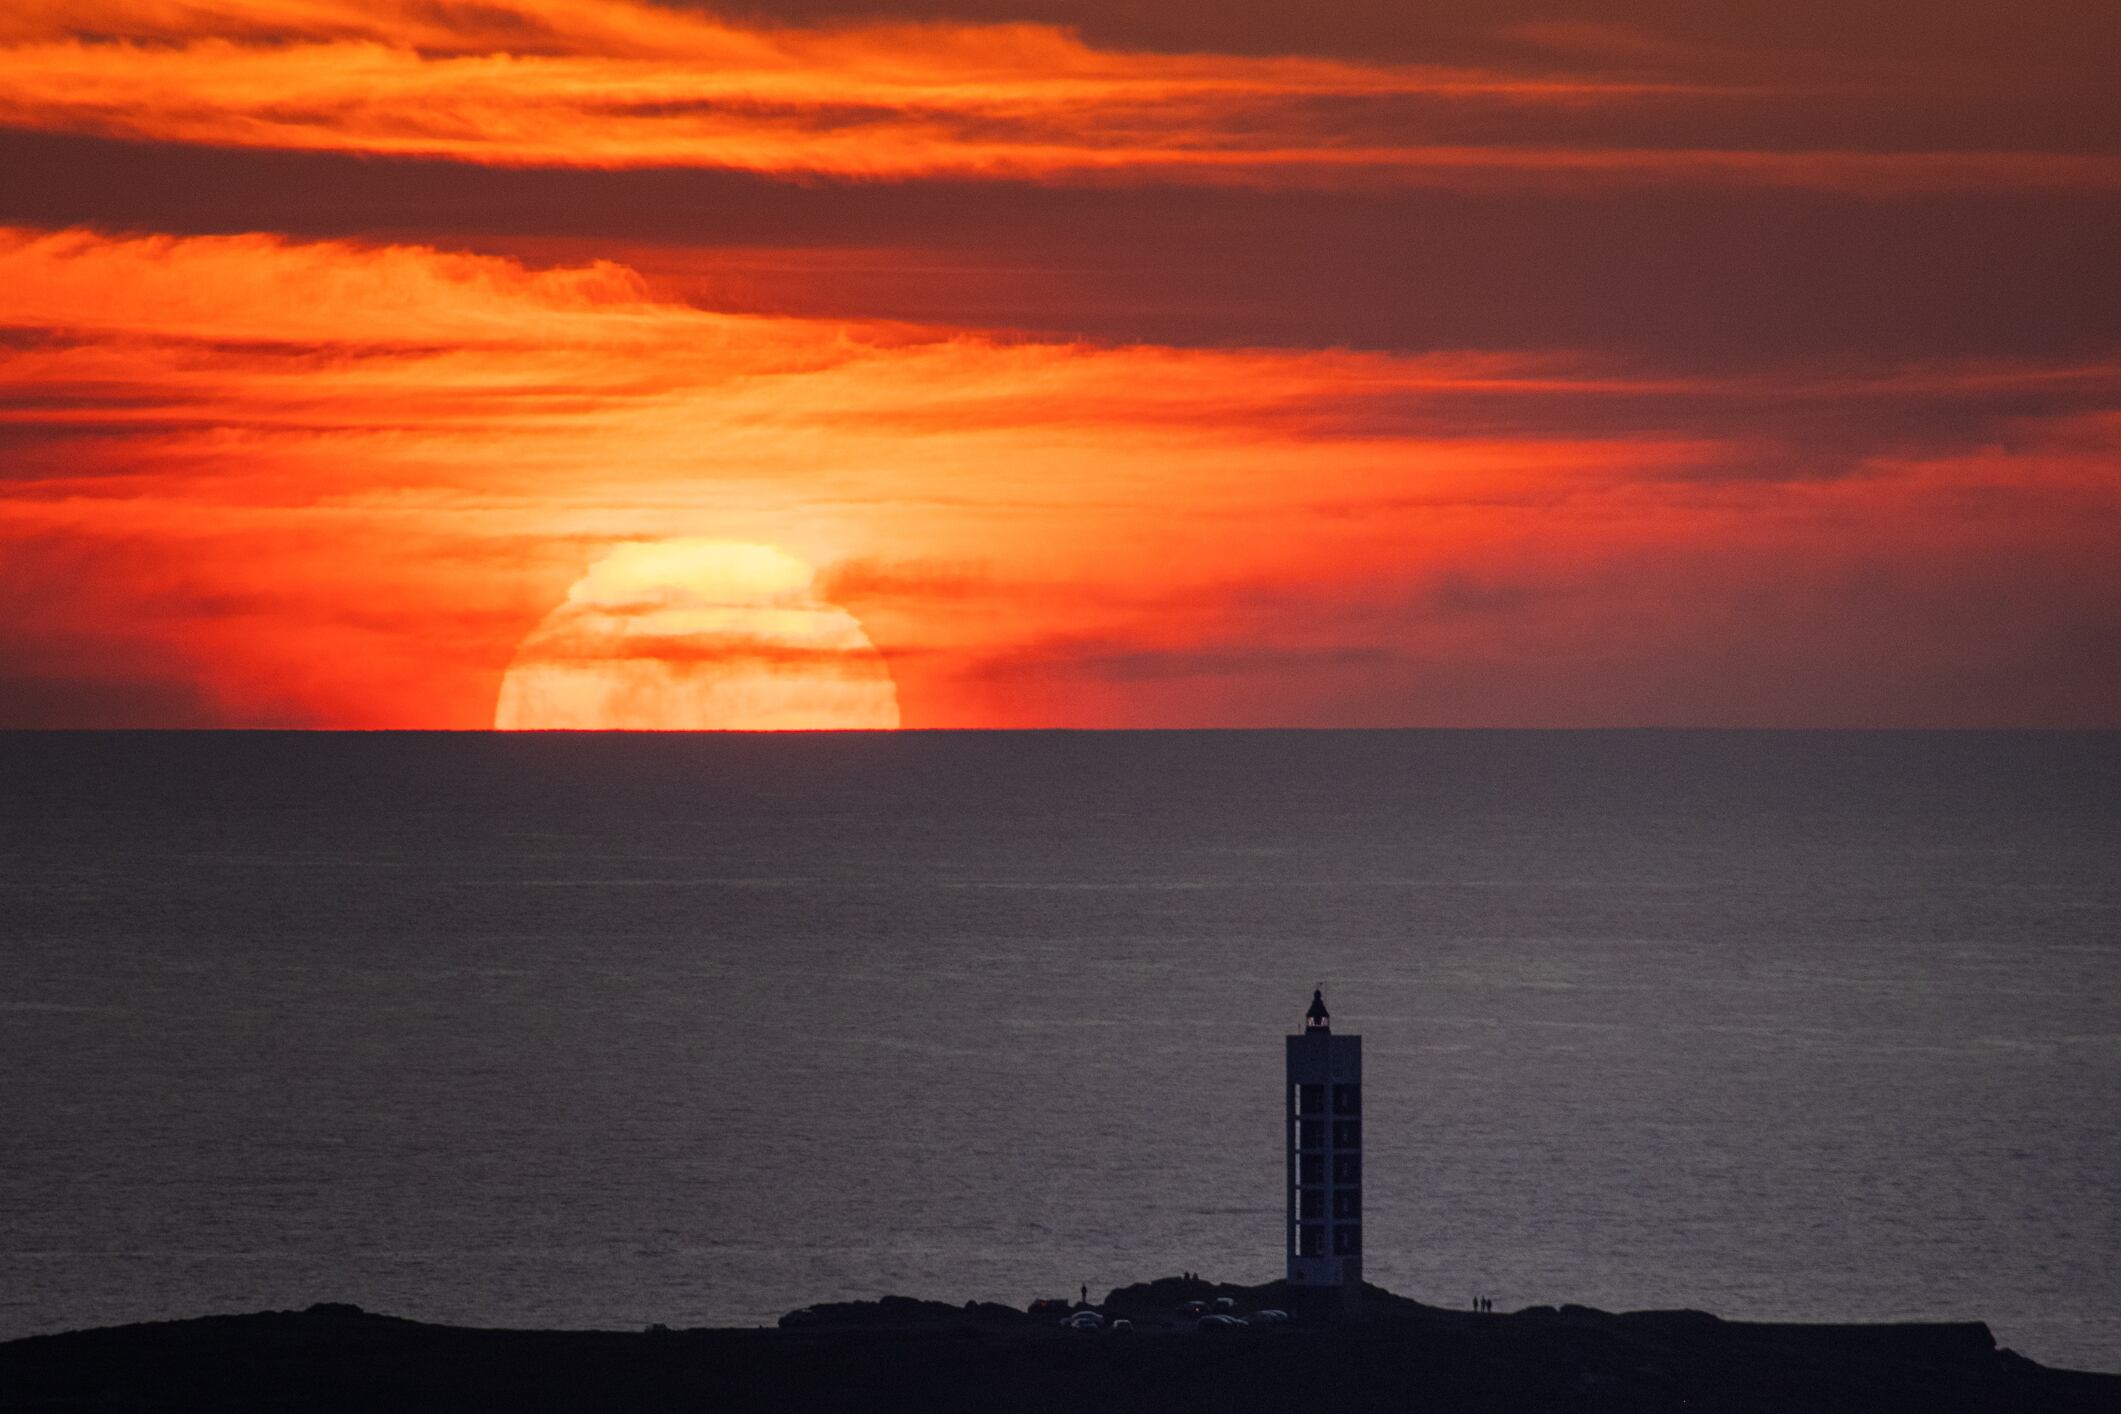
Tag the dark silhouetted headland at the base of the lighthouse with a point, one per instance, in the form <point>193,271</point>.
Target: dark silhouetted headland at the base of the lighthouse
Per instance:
<point>917,1356</point>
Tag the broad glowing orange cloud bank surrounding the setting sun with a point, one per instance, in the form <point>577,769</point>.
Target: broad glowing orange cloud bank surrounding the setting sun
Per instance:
<point>336,484</point>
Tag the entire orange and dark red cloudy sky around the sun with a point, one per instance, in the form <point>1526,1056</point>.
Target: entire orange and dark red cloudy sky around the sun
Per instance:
<point>1543,372</point>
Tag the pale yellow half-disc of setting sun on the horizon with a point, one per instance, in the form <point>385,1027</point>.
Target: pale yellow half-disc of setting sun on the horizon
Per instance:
<point>697,637</point>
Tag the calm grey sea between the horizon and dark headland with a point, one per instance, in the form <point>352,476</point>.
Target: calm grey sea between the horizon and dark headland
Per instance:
<point>606,1031</point>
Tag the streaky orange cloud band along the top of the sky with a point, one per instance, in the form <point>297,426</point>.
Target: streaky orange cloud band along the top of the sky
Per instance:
<point>618,84</point>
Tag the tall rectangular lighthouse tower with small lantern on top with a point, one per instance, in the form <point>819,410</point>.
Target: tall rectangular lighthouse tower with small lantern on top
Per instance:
<point>1325,1154</point>
